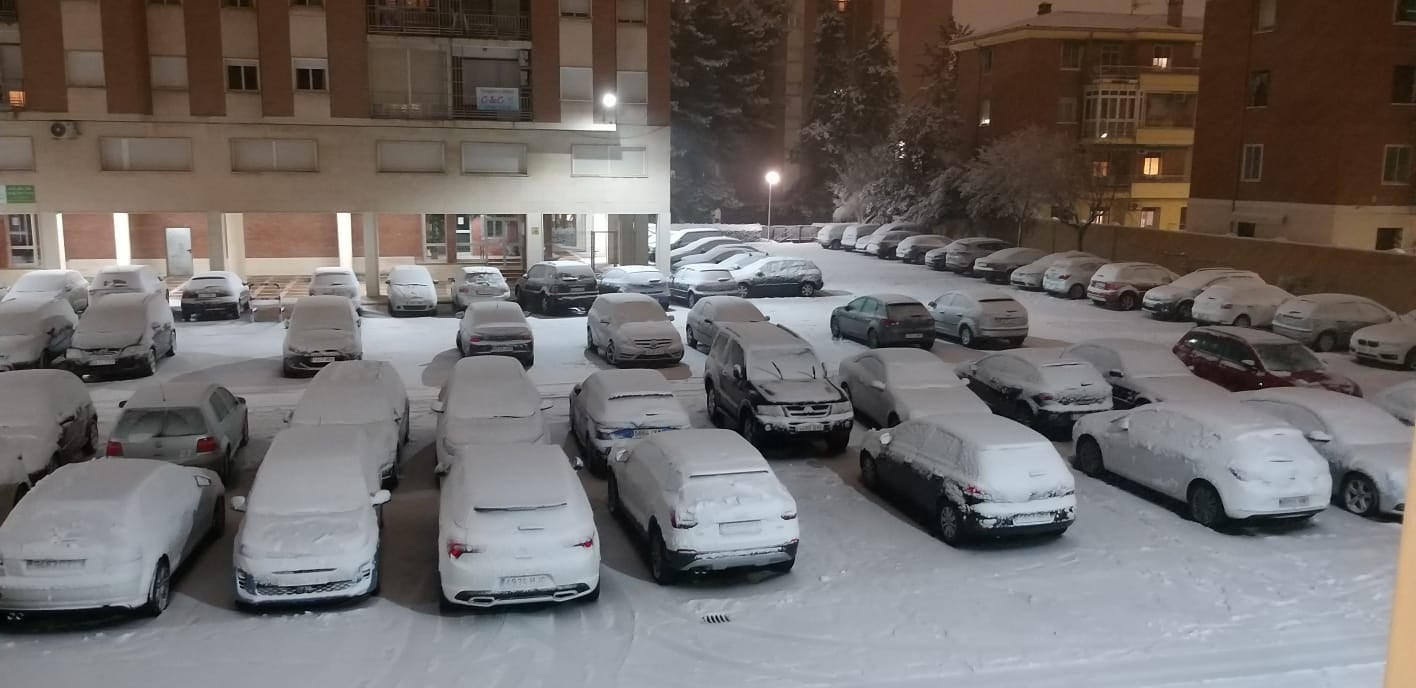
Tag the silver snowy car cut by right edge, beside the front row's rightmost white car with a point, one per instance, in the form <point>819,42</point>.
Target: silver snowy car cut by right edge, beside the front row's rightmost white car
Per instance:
<point>1367,449</point>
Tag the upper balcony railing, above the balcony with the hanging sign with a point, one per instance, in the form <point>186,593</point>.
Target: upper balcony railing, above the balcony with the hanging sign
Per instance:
<point>447,18</point>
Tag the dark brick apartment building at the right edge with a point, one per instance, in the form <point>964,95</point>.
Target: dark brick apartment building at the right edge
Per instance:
<point>1308,122</point>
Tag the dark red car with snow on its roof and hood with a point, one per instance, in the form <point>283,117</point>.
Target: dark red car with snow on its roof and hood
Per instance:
<point>1240,360</point>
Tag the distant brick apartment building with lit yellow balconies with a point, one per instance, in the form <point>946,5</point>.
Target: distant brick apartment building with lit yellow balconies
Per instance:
<point>1124,86</point>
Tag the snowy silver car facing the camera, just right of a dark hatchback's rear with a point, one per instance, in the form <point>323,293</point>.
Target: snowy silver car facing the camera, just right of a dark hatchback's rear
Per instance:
<point>632,329</point>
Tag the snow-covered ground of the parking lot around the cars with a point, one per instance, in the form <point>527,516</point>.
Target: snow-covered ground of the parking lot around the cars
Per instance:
<point>1134,597</point>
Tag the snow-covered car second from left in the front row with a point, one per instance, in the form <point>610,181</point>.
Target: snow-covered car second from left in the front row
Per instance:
<point>311,526</point>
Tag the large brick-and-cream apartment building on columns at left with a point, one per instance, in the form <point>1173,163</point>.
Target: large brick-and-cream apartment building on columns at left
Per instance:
<point>274,137</point>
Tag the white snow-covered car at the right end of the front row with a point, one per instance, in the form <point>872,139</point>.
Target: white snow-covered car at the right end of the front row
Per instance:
<point>1226,461</point>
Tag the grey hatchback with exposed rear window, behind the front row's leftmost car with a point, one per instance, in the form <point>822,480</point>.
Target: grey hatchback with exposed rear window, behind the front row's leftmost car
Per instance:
<point>190,424</point>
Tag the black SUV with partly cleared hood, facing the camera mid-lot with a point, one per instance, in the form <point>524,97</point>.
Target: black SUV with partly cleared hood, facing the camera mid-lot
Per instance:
<point>768,383</point>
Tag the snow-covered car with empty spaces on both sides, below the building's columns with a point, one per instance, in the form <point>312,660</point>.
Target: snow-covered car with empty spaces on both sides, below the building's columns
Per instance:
<point>321,331</point>
